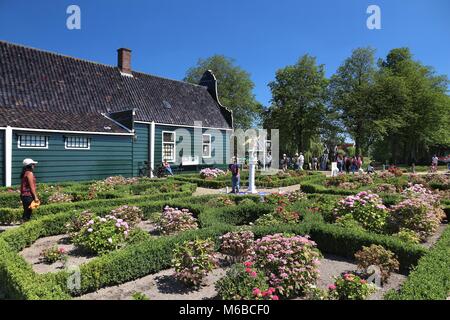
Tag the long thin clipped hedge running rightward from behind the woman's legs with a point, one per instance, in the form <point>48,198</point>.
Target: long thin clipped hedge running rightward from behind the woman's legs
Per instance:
<point>8,215</point>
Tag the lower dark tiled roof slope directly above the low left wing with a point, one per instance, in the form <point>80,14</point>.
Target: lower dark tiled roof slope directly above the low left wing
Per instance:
<point>24,117</point>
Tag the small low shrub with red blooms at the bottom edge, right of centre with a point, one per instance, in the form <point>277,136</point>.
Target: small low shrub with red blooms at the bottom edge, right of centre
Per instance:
<point>350,287</point>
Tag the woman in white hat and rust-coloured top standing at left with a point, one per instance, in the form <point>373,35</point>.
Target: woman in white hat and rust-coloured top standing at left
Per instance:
<point>28,187</point>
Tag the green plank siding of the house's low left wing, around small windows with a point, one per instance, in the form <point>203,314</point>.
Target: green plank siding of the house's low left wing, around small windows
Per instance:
<point>107,156</point>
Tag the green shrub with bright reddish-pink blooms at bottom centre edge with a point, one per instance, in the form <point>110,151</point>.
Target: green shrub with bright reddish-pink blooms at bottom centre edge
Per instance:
<point>240,283</point>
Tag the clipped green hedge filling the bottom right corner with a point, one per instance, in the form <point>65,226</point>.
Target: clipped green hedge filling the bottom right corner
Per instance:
<point>430,279</point>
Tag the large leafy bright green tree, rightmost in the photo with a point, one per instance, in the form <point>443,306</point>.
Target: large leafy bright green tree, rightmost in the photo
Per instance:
<point>419,105</point>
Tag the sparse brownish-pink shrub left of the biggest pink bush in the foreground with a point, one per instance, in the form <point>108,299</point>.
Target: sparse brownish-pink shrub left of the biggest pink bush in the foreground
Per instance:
<point>193,260</point>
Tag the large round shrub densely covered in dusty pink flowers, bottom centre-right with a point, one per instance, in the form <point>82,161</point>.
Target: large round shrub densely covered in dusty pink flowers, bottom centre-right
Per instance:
<point>290,263</point>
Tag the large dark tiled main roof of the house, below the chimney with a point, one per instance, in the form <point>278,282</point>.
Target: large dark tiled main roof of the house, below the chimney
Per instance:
<point>32,78</point>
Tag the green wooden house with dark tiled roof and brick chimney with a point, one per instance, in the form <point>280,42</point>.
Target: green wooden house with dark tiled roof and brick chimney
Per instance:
<point>83,120</point>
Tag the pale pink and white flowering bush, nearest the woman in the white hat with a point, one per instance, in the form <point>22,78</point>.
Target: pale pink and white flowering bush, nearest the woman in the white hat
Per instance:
<point>102,234</point>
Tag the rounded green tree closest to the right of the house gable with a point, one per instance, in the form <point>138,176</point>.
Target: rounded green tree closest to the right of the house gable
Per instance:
<point>298,107</point>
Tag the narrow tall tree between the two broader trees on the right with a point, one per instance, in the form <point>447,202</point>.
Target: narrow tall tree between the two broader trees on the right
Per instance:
<point>351,91</point>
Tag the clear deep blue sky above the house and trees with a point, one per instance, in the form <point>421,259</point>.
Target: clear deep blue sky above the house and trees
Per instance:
<point>169,36</point>
